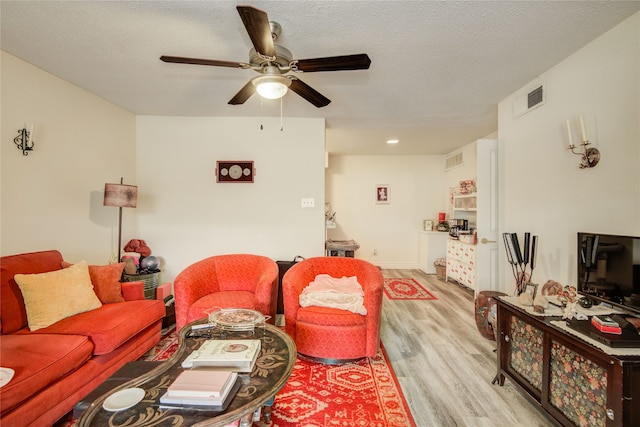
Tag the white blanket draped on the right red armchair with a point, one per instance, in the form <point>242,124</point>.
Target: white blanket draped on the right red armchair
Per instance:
<point>326,291</point>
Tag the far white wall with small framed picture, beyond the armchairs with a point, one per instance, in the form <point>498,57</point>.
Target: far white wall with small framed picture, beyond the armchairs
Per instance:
<point>417,192</point>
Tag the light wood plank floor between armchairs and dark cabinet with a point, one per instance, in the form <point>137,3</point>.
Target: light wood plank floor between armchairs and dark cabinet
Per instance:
<point>444,366</point>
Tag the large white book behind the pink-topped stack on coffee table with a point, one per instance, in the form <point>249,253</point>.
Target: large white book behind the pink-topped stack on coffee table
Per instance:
<point>234,355</point>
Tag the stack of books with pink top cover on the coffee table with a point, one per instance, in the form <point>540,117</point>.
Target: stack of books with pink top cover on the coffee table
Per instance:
<point>201,387</point>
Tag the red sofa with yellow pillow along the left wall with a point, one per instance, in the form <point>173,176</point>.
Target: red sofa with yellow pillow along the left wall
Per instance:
<point>56,366</point>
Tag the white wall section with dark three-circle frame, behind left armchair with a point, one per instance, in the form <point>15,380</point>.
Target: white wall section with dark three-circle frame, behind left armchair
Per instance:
<point>184,215</point>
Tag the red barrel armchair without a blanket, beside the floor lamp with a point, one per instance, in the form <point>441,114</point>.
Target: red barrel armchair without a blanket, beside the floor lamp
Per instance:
<point>226,281</point>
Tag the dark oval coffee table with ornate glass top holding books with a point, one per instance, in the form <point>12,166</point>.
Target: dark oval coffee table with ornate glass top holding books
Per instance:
<point>272,369</point>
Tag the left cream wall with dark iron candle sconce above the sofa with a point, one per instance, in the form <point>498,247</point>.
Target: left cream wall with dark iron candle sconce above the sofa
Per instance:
<point>52,198</point>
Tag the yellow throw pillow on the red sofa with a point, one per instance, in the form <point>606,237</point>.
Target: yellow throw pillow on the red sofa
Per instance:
<point>56,295</point>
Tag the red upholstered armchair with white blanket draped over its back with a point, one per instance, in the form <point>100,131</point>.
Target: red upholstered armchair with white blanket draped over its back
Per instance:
<point>333,334</point>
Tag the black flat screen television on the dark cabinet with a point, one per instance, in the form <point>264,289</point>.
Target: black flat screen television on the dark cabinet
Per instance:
<point>609,269</point>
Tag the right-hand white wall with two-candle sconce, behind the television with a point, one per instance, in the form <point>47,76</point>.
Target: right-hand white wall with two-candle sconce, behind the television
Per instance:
<point>545,191</point>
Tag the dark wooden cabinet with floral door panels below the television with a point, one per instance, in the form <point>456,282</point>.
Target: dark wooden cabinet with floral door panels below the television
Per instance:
<point>574,382</point>
